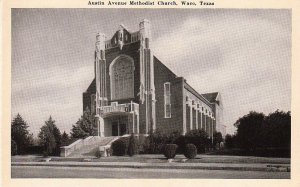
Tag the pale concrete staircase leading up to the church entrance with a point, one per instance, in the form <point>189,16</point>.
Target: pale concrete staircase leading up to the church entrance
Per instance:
<point>89,150</point>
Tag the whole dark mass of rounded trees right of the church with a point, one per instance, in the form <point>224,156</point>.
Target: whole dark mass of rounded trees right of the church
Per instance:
<point>255,130</point>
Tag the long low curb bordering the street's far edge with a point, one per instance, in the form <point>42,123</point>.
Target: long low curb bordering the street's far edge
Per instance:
<point>269,168</point>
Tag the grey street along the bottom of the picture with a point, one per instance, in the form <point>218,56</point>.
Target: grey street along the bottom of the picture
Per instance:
<point>100,172</point>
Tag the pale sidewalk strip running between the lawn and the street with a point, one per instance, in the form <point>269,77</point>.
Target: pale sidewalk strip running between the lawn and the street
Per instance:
<point>172,165</point>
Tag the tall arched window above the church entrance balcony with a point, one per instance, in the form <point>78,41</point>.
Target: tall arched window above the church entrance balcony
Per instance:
<point>121,73</point>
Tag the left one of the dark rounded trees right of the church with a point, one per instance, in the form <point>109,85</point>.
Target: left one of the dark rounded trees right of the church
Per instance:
<point>249,130</point>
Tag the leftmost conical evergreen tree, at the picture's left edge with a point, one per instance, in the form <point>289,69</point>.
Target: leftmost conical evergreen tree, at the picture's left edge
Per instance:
<point>20,135</point>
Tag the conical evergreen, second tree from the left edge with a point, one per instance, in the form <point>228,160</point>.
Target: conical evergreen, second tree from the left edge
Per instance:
<point>50,138</point>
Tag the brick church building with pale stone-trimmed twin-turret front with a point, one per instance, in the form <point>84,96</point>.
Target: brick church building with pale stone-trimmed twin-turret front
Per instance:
<point>134,92</point>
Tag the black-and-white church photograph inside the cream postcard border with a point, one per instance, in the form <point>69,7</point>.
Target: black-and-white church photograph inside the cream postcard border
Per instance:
<point>160,93</point>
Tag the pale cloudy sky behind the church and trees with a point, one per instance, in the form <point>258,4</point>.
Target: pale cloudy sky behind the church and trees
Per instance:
<point>245,54</point>
